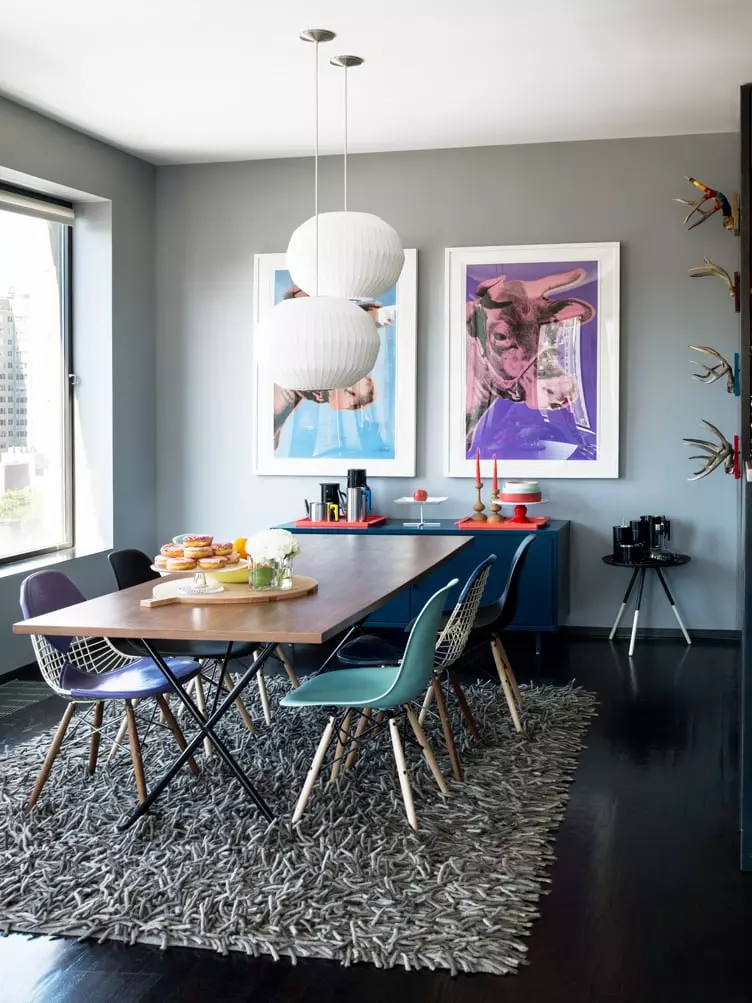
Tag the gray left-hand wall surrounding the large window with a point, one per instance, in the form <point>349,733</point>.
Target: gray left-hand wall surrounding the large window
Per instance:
<point>39,148</point>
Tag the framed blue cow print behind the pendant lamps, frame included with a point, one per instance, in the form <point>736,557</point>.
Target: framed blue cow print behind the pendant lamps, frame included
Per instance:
<point>370,425</point>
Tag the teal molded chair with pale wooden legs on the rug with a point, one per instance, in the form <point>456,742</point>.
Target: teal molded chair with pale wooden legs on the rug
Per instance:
<point>388,690</point>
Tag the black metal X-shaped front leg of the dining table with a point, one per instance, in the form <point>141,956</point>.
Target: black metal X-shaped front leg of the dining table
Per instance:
<point>206,730</point>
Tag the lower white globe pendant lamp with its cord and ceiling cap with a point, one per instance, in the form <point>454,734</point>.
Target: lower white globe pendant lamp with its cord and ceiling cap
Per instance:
<point>317,343</point>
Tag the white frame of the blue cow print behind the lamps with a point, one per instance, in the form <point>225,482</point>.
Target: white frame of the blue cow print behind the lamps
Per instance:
<point>271,457</point>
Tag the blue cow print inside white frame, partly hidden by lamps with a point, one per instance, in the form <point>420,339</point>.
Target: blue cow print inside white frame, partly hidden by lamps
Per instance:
<point>354,424</point>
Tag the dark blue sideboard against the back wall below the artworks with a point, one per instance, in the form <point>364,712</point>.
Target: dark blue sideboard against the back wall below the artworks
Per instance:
<point>545,588</point>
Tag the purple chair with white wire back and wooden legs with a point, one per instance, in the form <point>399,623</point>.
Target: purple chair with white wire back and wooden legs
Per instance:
<point>91,671</point>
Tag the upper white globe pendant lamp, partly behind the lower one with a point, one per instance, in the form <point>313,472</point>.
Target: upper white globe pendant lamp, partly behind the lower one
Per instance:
<point>359,255</point>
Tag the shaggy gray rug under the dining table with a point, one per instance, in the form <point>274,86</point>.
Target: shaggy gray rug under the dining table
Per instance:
<point>353,883</point>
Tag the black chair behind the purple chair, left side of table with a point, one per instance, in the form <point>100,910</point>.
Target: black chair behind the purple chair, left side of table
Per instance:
<point>133,567</point>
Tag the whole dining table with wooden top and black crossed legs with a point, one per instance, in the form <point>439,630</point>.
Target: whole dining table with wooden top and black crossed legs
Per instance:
<point>355,575</point>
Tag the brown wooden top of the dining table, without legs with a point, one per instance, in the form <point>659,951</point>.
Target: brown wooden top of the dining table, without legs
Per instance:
<point>356,575</point>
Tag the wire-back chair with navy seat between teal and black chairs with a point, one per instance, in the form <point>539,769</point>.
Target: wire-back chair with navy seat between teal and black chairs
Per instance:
<point>457,627</point>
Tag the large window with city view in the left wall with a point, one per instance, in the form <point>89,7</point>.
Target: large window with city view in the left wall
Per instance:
<point>36,453</point>
